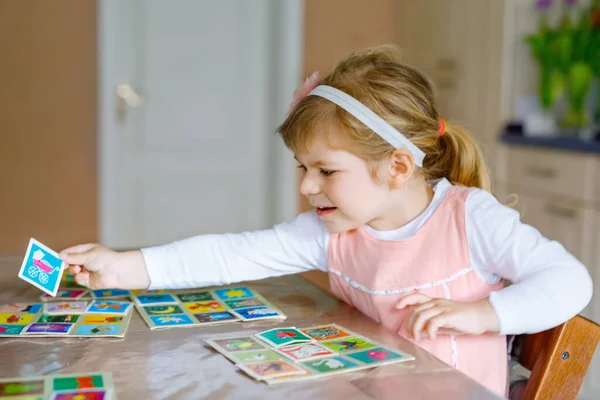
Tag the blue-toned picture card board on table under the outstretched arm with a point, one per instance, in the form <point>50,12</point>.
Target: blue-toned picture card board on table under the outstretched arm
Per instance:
<point>185,309</point>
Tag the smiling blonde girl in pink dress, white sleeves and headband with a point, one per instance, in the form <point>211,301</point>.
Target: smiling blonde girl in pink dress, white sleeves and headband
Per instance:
<point>404,224</point>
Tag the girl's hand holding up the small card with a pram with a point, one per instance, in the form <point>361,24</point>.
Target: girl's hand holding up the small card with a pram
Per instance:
<point>96,267</point>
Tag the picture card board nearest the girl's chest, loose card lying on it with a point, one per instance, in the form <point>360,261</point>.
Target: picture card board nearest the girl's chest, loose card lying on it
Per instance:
<point>289,354</point>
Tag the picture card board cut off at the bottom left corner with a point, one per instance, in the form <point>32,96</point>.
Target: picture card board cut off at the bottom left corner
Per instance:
<point>93,386</point>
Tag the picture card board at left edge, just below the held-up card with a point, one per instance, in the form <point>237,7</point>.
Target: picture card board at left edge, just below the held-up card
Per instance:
<point>66,318</point>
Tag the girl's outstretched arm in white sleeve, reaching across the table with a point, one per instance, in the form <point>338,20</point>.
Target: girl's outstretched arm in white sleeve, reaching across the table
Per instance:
<point>218,259</point>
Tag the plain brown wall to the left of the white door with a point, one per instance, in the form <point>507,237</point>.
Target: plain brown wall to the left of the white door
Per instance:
<point>47,123</point>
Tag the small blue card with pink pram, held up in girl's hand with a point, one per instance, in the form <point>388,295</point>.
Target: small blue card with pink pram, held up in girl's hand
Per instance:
<point>42,267</point>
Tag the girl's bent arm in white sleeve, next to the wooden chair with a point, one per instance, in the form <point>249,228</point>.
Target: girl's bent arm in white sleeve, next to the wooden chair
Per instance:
<point>549,285</point>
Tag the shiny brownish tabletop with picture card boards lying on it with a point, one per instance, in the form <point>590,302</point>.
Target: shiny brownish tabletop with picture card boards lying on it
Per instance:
<point>176,364</point>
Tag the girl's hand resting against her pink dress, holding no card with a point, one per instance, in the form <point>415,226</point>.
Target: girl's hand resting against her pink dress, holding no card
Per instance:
<point>433,316</point>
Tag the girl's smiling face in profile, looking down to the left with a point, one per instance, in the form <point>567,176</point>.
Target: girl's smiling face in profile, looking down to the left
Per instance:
<point>341,187</point>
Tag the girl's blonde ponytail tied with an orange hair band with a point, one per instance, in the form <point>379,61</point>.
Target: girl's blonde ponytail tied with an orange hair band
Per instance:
<point>459,159</point>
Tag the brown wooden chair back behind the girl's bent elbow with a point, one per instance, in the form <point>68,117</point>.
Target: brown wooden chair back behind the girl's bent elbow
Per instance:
<point>557,358</point>
